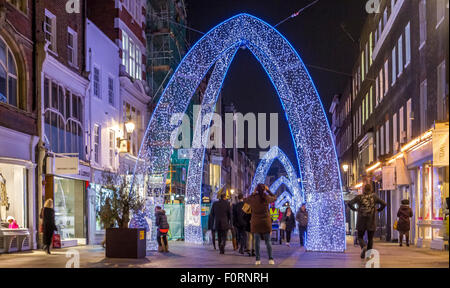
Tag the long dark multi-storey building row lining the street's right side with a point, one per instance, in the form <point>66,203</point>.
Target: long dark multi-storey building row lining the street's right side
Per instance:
<point>389,123</point>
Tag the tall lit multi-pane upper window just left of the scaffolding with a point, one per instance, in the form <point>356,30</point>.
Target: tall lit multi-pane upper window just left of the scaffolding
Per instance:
<point>131,57</point>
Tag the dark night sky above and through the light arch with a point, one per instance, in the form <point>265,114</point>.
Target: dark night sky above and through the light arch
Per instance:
<point>316,34</point>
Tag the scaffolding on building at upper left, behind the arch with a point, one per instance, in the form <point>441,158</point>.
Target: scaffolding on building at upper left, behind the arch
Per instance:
<point>166,36</point>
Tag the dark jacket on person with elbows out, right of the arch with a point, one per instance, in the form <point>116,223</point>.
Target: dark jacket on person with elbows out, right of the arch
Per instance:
<point>367,210</point>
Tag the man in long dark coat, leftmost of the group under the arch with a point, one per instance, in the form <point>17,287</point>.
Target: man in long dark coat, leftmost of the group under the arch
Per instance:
<point>221,213</point>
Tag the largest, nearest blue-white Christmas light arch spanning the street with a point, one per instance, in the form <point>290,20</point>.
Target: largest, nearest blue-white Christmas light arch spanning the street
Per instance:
<point>304,111</point>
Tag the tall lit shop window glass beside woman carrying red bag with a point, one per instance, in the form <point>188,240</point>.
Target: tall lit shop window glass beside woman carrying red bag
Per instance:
<point>69,202</point>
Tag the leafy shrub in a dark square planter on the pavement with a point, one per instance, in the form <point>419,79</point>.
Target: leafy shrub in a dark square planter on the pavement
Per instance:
<point>117,202</point>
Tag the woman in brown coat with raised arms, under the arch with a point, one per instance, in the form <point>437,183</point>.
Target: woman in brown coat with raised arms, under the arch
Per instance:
<point>261,223</point>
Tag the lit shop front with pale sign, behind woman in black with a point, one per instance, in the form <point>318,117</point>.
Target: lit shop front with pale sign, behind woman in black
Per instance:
<point>69,195</point>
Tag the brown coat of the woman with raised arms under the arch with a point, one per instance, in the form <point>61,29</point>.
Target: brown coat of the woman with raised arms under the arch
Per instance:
<point>260,222</point>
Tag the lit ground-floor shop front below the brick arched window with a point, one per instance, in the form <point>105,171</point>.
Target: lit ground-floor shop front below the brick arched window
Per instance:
<point>17,182</point>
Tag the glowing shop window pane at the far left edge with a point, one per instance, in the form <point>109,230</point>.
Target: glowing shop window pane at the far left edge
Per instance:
<point>13,184</point>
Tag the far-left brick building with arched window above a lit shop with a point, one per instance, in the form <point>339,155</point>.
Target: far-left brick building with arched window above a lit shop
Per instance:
<point>18,123</point>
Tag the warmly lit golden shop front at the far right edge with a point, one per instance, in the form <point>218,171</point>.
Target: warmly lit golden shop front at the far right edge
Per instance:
<point>429,172</point>
